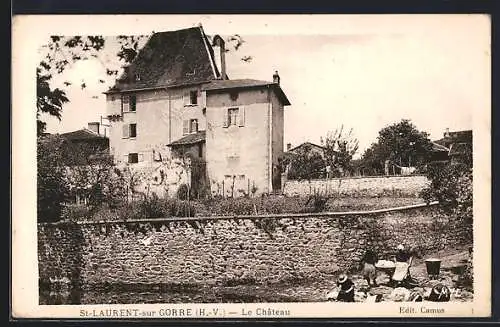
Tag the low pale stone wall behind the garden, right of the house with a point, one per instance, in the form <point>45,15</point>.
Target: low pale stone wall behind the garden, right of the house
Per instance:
<point>365,186</point>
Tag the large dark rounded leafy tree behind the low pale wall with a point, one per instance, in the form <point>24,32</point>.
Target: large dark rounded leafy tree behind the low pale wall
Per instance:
<point>402,144</point>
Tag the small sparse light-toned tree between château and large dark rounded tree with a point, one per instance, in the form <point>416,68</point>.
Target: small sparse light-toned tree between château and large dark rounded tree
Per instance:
<point>339,150</point>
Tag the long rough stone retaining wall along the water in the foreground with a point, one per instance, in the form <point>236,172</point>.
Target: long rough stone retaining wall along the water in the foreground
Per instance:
<point>231,251</point>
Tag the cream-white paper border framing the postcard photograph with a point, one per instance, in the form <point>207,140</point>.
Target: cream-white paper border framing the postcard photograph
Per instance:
<point>28,32</point>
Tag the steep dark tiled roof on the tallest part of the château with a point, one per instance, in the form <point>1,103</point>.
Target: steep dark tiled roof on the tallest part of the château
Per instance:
<point>169,59</point>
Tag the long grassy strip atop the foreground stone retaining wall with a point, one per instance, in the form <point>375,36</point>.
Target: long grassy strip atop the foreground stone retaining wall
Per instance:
<point>161,208</point>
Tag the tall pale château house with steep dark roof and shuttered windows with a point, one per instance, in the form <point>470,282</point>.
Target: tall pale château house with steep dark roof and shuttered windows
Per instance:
<point>175,102</point>
